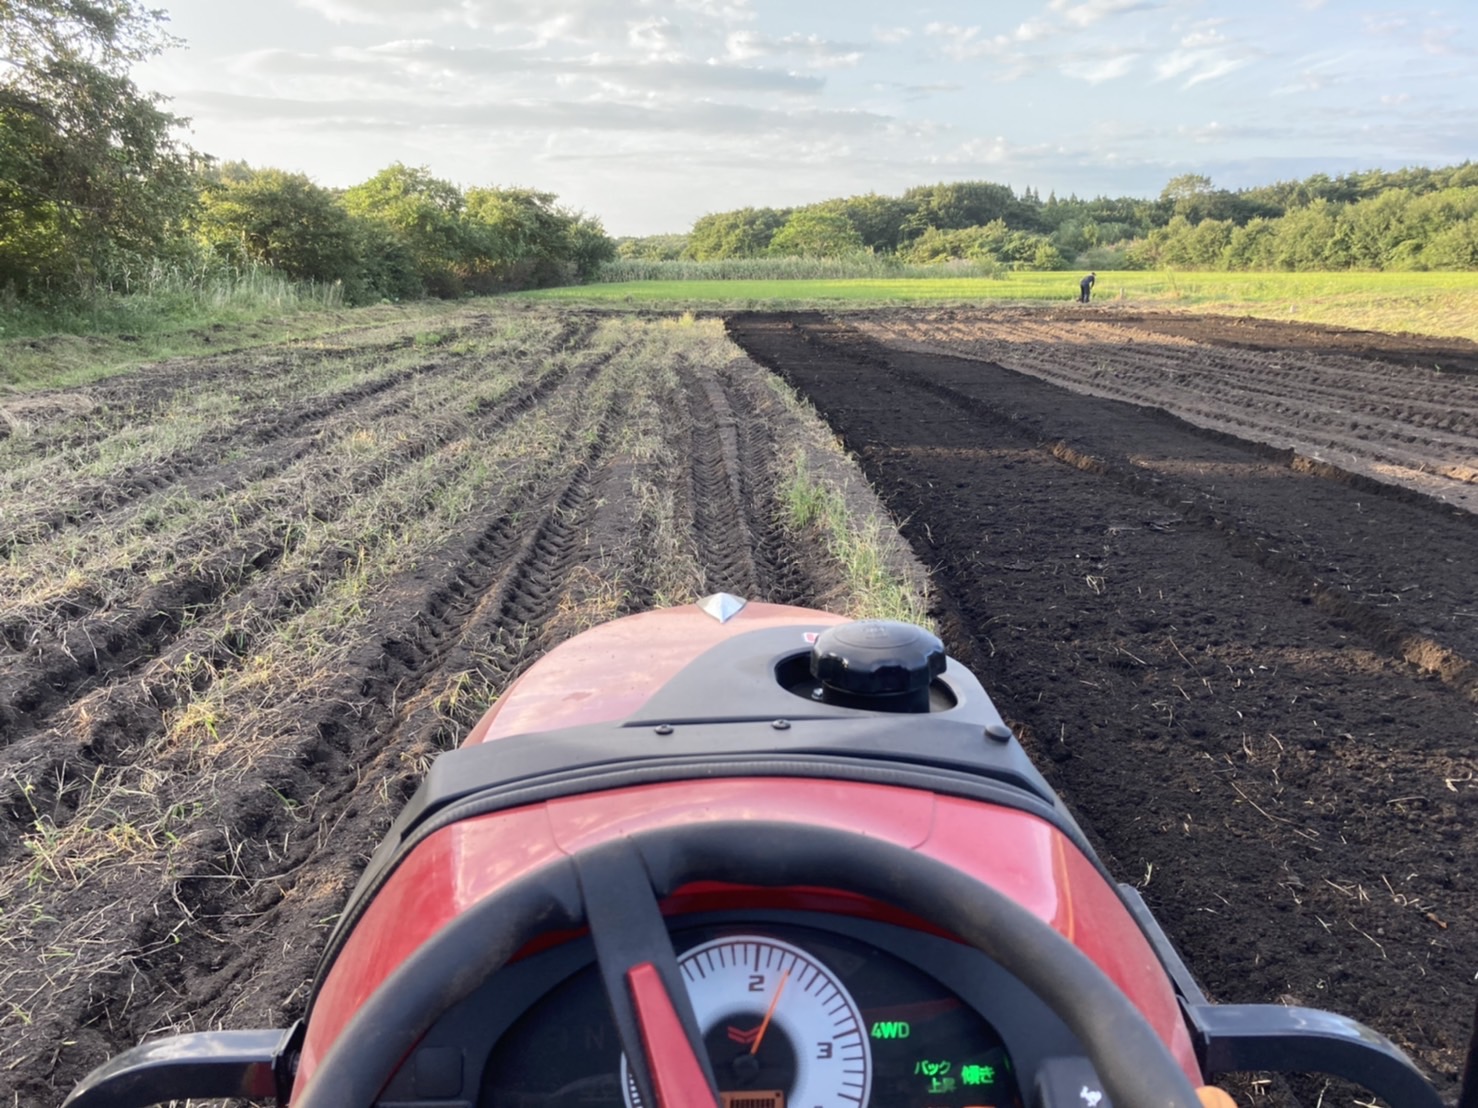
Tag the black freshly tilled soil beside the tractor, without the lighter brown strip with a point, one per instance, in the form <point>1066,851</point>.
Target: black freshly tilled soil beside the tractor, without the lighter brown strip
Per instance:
<point>1245,754</point>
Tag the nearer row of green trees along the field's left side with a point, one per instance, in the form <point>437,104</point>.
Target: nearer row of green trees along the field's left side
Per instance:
<point>95,187</point>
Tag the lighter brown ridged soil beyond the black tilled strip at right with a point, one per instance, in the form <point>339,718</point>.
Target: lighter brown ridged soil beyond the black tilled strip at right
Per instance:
<point>1399,408</point>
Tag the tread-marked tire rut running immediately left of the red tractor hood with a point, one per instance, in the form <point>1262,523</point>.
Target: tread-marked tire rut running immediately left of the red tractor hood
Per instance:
<point>496,578</point>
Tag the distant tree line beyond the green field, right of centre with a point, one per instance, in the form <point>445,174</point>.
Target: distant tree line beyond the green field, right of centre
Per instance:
<point>1406,219</point>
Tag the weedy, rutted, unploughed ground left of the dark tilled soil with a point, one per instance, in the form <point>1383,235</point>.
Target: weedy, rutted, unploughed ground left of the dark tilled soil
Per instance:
<point>228,657</point>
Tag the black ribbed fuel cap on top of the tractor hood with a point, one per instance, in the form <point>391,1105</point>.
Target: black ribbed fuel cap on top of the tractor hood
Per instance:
<point>879,664</point>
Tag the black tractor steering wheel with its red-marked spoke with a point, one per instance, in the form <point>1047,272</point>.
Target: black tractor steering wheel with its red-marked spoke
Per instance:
<point>614,889</point>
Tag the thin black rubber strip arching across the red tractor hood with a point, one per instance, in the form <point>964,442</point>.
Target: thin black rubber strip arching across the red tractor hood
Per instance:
<point>663,772</point>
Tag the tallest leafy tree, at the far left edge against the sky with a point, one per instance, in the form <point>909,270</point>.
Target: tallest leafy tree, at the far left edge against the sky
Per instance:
<point>89,168</point>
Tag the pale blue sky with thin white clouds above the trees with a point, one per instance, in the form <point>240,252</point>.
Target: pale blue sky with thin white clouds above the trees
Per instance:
<point>653,113</point>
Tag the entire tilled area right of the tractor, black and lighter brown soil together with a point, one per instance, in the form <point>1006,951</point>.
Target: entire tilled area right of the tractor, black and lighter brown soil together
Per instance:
<point>1248,668</point>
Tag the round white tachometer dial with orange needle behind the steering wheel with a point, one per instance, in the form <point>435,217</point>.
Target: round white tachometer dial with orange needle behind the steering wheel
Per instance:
<point>778,1026</point>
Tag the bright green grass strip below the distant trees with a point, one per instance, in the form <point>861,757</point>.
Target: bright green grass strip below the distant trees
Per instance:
<point>1427,304</point>
